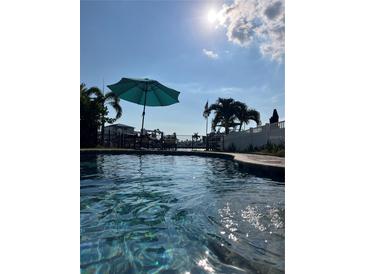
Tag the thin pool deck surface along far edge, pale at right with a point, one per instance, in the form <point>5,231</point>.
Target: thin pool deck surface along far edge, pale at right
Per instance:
<point>242,158</point>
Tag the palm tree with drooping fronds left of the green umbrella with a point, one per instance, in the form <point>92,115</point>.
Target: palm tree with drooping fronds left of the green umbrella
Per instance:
<point>104,100</point>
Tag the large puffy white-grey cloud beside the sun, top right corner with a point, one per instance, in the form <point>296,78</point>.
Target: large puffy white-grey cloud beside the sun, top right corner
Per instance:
<point>261,21</point>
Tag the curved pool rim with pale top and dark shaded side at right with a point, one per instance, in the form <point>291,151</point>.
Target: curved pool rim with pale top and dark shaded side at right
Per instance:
<point>266,165</point>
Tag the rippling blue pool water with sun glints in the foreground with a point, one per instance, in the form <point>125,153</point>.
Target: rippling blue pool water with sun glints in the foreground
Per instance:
<point>178,214</point>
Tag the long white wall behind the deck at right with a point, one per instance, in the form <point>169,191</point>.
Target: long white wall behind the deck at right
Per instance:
<point>259,136</point>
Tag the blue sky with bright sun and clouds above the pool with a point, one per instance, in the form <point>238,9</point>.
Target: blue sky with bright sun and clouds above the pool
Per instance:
<point>204,49</point>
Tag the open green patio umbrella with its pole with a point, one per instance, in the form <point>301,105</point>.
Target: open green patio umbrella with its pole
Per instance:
<point>145,92</point>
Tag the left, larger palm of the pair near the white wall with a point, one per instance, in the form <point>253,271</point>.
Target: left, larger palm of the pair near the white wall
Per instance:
<point>224,113</point>
